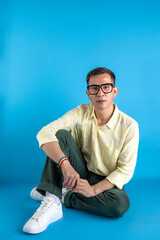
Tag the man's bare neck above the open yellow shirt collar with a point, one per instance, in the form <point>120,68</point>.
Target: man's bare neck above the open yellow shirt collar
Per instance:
<point>103,116</point>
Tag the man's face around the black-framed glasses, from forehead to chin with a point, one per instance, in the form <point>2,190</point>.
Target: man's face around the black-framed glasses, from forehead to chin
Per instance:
<point>102,100</point>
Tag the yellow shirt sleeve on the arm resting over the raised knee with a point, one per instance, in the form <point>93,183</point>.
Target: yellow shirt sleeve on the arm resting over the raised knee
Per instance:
<point>67,122</point>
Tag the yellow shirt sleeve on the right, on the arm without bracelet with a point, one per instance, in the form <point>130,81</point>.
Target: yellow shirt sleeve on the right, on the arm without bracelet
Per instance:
<point>127,158</point>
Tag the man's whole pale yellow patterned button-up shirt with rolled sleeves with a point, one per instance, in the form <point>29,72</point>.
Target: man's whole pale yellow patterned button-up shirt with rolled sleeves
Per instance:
<point>109,150</point>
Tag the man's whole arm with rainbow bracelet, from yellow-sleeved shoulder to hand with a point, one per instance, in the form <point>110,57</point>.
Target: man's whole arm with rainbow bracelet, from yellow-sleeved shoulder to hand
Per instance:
<point>49,143</point>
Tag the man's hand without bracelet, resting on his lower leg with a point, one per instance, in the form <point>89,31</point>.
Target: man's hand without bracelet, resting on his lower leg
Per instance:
<point>85,188</point>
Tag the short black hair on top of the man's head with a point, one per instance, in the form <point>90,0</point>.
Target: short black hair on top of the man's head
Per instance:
<point>100,70</point>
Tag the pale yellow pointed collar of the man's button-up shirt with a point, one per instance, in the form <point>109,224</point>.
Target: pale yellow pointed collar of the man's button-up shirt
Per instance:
<point>112,122</point>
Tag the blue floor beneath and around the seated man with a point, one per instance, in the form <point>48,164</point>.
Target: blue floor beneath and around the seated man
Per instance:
<point>142,221</point>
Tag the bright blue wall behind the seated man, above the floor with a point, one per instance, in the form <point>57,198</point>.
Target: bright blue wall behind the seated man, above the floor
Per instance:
<point>46,50</point>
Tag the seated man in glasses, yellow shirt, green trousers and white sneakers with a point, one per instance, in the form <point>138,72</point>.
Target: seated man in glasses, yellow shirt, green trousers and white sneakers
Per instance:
<point>91,153</point>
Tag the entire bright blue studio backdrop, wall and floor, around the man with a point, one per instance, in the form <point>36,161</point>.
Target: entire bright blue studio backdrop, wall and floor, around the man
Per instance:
<point>46,49</point>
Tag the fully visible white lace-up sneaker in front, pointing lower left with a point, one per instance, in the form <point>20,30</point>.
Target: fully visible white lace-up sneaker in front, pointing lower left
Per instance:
<point>47,213</point>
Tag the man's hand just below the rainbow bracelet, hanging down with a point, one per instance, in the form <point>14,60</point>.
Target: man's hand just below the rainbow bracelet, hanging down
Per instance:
<point>71,176</point>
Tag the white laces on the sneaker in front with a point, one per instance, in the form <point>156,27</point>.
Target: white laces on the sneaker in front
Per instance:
<point>44,207</point>
